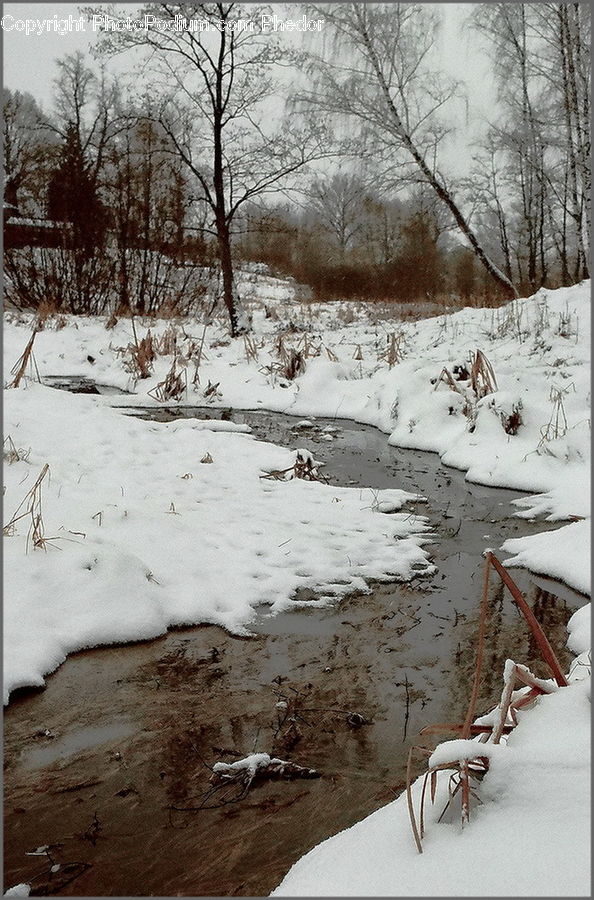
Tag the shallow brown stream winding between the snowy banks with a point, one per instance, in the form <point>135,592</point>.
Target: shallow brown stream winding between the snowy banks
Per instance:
<point>99,763</point>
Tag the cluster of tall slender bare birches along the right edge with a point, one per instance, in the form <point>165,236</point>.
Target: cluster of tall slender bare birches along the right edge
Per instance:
<point>541,139</point>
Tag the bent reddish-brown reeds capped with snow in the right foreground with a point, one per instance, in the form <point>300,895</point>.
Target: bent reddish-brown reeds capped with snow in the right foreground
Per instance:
<point>472,764</point>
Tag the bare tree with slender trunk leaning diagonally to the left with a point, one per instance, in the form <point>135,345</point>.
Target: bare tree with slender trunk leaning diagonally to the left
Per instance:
<point>378,76</point>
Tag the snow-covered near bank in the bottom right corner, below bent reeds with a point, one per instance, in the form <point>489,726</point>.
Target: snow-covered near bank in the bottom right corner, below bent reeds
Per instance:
<point>529,838</point>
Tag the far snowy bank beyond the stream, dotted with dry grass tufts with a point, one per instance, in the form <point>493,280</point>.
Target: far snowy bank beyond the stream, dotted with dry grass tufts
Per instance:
<point>531,433</point>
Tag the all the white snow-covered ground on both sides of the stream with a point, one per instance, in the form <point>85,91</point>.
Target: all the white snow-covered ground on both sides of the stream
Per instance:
<point>133,512</point>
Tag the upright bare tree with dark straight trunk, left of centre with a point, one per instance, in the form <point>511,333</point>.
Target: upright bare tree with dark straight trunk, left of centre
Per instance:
<point>217,89</point>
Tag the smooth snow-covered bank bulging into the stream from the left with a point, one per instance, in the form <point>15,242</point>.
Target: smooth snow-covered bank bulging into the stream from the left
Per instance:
<point>148,525</point>
